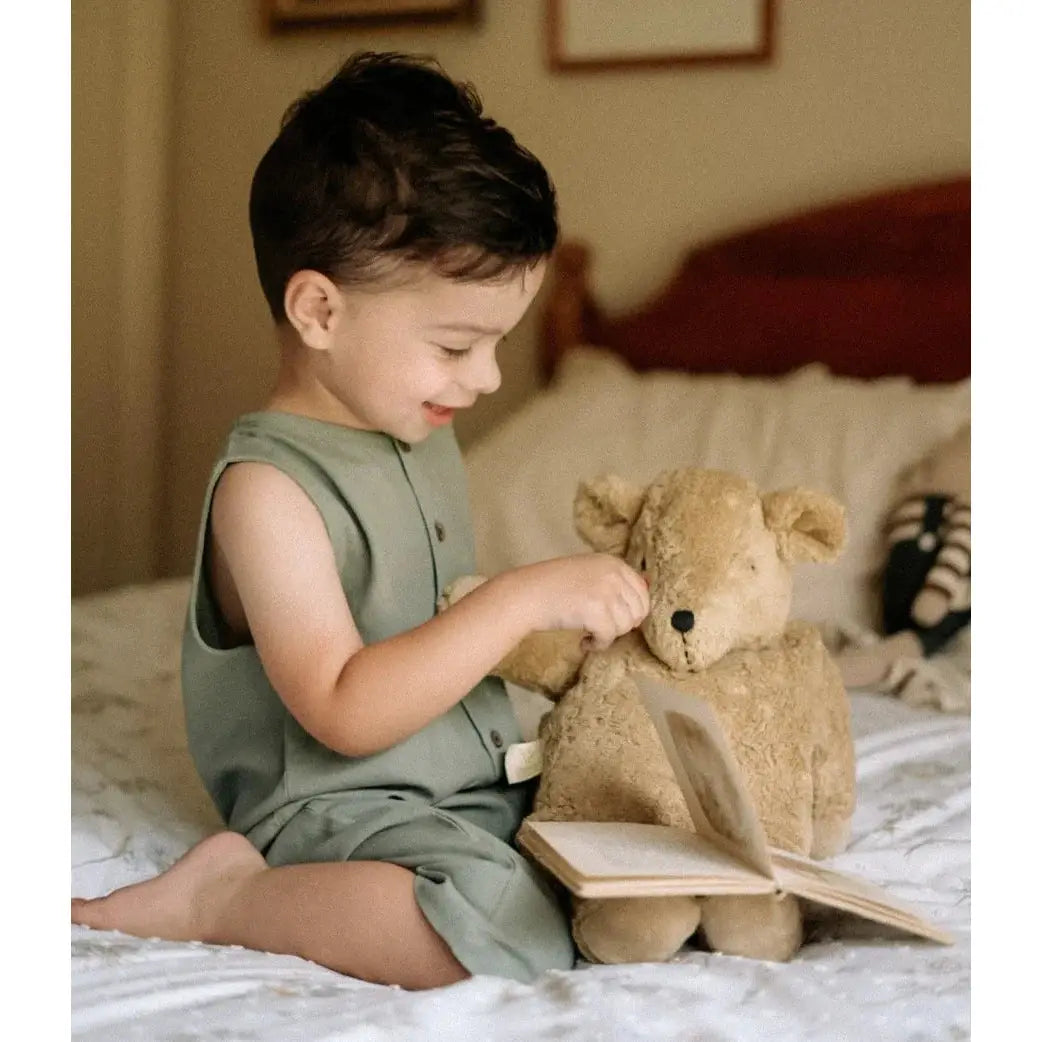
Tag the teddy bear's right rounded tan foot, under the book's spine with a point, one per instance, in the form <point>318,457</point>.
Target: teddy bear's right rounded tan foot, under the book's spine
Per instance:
<point>757,928</point>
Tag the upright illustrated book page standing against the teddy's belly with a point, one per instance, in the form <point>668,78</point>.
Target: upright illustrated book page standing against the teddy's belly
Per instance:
<point>708,774</point>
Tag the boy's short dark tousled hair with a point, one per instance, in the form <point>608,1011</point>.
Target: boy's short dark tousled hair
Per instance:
<point>392,162</point>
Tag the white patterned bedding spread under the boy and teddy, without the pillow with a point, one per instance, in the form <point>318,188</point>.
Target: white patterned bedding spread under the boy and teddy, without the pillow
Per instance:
<point>137,806</point>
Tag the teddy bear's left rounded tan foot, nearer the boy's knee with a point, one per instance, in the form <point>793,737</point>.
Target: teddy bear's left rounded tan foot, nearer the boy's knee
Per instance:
<point>634,930</point>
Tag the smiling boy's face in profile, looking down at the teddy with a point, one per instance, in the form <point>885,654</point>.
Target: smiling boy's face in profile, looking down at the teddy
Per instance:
<point>404,360</point>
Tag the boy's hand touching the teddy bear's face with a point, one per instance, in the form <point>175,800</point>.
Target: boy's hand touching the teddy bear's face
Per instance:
<point>598,593</point>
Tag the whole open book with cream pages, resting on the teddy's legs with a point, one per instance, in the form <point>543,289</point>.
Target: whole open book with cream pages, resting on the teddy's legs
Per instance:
<point>730,854</point>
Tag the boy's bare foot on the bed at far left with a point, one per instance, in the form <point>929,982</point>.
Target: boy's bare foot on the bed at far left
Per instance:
<point>181,904</point>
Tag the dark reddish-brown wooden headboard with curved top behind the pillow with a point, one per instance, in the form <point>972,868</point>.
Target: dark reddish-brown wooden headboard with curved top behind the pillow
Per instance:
<point>872,287</point>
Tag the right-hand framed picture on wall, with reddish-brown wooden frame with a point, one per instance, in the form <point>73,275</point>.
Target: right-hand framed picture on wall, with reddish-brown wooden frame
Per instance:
<point>592,35</point>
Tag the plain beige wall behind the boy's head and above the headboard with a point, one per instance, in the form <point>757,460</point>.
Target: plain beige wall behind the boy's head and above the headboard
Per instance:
<point>860,96</point>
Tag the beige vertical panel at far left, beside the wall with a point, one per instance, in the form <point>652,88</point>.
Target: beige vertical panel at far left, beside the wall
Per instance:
<point>122,82</point>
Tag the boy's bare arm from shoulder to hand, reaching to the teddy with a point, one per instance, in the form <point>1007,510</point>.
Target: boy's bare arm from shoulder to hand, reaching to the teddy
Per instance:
<point>360,700</point>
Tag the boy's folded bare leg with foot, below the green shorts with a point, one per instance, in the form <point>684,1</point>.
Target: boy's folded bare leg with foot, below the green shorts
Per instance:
<point>359,919</point>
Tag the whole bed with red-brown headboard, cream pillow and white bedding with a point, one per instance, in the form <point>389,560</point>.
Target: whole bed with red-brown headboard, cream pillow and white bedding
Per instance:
<point>830,350</point>
